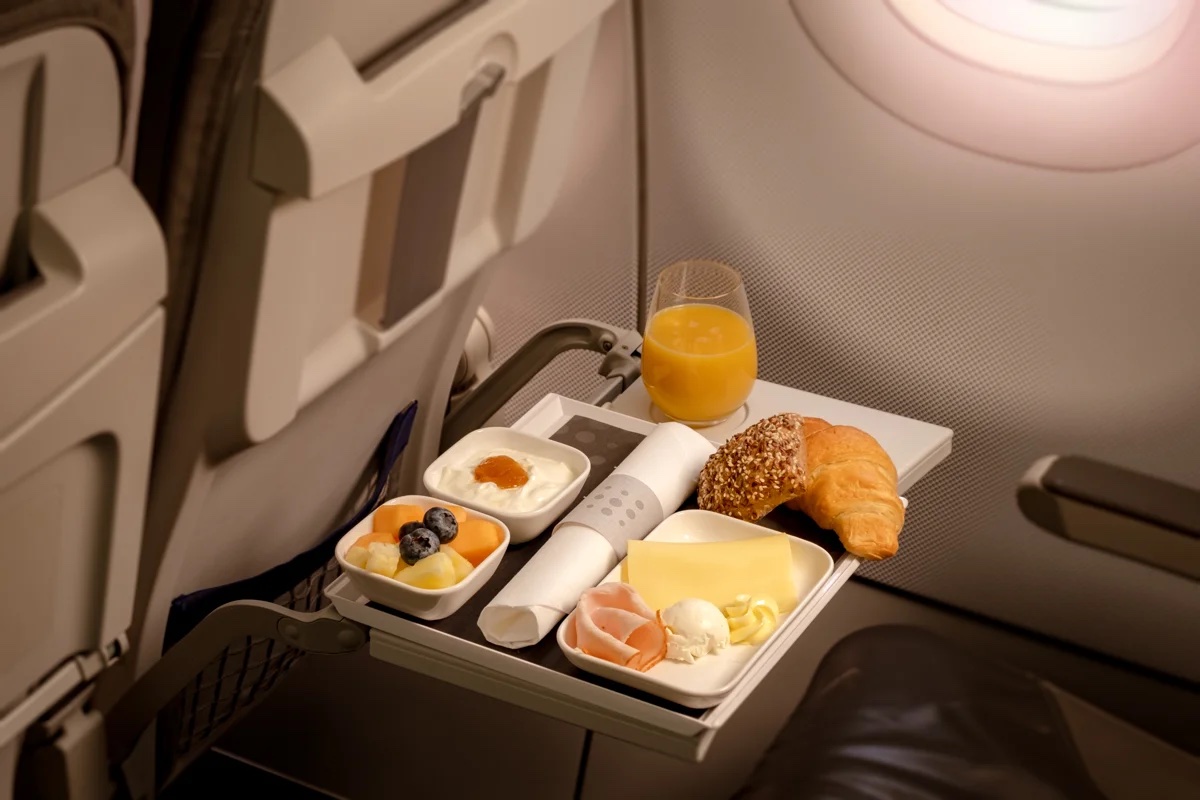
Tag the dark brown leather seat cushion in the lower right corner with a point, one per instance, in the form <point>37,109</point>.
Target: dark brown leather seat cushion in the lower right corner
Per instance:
<point>898,712</point>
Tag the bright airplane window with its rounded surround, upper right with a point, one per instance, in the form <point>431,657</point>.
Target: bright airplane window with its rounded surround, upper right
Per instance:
<point>1066,85</point>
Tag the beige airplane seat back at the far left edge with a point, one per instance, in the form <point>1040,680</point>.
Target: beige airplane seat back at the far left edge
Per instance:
<point>82,274</point>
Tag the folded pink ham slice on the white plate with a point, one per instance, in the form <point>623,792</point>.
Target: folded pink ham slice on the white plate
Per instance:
<point>614,623</point>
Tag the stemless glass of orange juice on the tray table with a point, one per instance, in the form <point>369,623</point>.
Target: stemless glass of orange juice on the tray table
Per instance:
<point>699,354</point>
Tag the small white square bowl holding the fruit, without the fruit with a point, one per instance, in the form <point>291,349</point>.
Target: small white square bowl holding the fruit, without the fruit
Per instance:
<point>423,604</point>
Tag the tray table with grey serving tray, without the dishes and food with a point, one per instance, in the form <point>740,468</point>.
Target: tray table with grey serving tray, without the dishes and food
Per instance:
<point>541,678</point>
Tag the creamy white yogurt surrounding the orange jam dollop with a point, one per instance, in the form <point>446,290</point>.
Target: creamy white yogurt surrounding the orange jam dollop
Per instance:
<point>547,479</point>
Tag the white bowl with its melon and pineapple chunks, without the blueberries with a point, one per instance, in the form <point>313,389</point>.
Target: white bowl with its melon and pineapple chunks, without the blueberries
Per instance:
<point>477,534</point>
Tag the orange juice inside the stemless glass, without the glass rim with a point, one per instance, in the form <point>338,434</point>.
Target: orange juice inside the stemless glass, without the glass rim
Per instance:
<point>699,362</point>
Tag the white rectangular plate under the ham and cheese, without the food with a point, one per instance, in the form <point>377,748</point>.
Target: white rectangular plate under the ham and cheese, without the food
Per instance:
<point>704,684</point>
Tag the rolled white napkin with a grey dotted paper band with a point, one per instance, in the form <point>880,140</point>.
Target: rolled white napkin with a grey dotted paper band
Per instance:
<point>651,484</point>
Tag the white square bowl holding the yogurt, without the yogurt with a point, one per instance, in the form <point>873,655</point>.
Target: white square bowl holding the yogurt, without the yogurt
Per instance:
<point>526,525</point>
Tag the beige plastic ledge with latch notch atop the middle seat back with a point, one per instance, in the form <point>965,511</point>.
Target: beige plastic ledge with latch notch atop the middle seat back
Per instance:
<point>322,125</point>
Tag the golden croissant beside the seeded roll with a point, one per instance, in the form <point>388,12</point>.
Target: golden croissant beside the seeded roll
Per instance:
<point>853,490</point>
